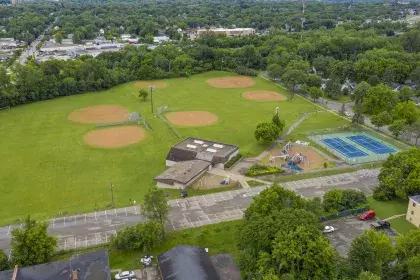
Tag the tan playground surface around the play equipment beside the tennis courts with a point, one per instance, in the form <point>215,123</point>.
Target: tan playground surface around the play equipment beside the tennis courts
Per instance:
<point>315,160</point>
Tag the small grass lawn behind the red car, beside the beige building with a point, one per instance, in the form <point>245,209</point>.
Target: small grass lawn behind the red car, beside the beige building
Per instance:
<point>385,209</point>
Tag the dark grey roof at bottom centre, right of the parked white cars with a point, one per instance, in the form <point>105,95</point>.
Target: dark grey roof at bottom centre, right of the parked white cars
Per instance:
<point>186,263</point>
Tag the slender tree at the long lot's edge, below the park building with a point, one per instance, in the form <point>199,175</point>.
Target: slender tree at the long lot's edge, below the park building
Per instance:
<point>155,205</point>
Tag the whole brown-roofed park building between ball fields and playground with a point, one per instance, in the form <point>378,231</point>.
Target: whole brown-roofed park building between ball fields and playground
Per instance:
<point>192,158</point>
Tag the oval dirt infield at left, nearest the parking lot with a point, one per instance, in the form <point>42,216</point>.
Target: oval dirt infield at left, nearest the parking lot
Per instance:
<point>115,137</point>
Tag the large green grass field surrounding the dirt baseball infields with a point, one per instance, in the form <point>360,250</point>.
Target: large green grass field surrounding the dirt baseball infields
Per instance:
<point>47,170</point>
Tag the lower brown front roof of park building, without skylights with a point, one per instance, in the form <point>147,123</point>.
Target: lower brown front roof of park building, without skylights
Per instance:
<point>184,171</point>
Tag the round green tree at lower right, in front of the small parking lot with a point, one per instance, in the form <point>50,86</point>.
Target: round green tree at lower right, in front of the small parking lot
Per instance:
<point>370,251</point>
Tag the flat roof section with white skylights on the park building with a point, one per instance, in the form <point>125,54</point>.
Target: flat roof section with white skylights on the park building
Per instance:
<point>213,148</point>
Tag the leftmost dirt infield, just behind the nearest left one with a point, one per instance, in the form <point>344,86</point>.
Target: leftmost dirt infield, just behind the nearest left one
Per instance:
<point>99,114</point>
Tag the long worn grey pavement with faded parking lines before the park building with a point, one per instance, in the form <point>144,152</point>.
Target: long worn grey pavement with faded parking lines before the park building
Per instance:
<point>96,228</point>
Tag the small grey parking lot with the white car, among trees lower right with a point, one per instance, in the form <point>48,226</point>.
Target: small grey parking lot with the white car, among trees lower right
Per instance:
<point>346,230</point>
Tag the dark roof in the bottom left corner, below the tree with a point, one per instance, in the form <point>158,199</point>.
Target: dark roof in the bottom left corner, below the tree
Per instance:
<point>90,266</point>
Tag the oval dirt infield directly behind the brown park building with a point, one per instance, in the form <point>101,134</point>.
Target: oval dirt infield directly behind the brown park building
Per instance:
<point>192,118</point>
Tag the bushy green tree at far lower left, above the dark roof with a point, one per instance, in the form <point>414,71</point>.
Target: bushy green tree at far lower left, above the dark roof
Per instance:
<point>32,244</point>
